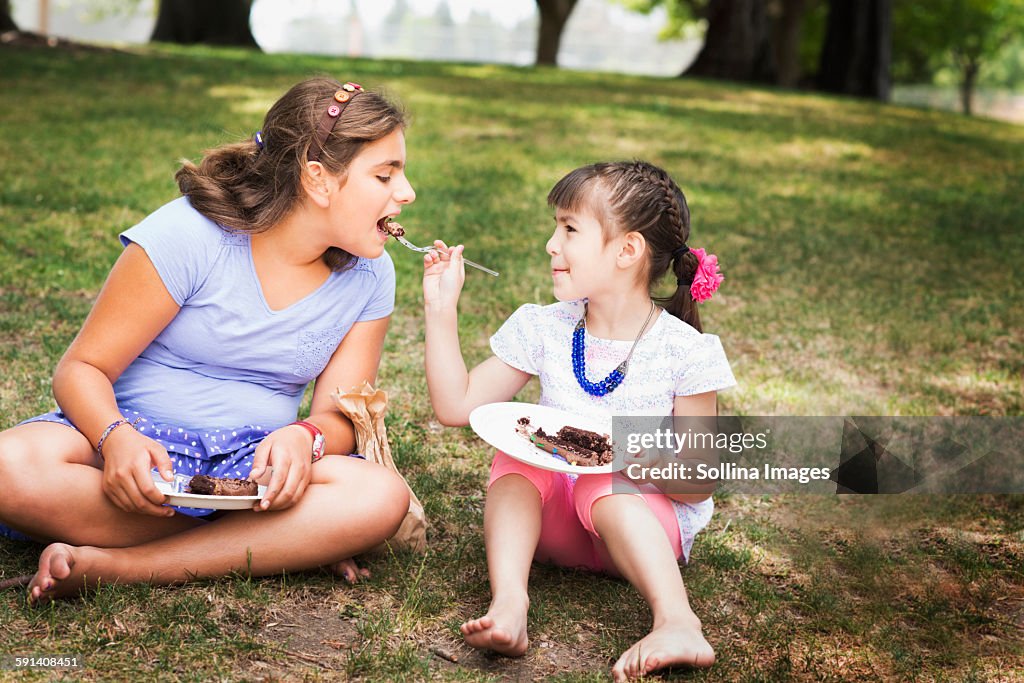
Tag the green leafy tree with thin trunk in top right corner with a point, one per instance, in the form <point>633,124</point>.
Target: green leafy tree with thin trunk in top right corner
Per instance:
<point>962,34</point>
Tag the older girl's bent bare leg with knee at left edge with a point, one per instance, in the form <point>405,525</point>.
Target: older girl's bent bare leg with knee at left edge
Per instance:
<point>52,483</point>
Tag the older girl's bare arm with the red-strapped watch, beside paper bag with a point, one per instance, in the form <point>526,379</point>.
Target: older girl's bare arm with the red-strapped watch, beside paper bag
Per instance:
<point>289,449</point>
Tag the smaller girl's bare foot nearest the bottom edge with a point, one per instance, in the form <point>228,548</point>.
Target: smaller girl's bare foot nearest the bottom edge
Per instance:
<point>671,644</point>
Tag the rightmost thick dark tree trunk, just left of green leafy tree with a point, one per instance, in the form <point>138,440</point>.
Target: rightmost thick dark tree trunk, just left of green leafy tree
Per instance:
<point>858,51</point>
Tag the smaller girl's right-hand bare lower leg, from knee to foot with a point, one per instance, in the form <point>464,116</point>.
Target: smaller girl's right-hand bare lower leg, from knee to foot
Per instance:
<point>644,556</point>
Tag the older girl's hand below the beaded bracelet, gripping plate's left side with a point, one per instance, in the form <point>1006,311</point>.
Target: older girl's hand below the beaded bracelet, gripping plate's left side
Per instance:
<point>129,457</point>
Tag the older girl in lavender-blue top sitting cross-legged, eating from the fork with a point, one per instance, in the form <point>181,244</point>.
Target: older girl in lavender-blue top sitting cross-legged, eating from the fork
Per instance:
<point>270,273</point>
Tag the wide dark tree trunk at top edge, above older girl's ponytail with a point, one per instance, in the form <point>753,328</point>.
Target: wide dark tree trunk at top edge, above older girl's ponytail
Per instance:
<point>189,22</point>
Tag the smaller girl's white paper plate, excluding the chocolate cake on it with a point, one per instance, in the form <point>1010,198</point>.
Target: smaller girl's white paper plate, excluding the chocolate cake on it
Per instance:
<point>496,424</point>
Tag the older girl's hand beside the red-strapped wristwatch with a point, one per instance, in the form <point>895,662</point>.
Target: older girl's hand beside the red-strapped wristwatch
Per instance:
<point>289,452</point>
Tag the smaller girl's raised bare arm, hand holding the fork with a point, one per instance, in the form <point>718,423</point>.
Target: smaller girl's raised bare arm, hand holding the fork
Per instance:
<point>454,392</point>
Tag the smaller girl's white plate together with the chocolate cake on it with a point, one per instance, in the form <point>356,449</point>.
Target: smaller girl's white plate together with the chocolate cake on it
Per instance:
<point>546,438</point>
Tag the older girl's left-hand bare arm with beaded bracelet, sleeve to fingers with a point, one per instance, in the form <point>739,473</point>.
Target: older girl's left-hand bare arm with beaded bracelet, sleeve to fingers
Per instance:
<point>133,309</point>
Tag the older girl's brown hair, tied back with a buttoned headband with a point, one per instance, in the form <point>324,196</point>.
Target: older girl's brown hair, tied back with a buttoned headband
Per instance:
<point>246,189</point>
